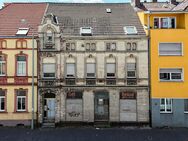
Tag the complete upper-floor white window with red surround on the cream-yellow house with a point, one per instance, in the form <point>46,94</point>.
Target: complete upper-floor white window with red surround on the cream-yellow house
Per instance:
<point>21,65</point>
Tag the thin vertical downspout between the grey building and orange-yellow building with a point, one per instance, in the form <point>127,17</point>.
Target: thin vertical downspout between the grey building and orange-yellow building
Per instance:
<point>149,70</point>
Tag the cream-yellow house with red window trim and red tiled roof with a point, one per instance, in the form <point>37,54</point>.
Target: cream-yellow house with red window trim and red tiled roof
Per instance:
<point>17,27</point>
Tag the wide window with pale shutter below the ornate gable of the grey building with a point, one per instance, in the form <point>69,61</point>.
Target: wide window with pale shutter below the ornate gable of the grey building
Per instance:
<point>48,70</point>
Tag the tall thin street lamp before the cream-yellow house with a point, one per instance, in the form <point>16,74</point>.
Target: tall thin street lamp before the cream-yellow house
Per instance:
<point>32,121</point>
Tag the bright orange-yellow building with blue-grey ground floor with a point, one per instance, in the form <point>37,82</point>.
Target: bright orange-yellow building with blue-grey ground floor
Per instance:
<point>166,25</point>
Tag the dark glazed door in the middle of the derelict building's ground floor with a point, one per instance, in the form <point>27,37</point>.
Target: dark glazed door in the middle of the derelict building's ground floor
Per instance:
<point>101,107</point>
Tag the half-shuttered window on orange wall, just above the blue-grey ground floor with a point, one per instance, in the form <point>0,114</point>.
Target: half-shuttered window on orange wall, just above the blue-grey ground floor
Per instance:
<point>171,74</point>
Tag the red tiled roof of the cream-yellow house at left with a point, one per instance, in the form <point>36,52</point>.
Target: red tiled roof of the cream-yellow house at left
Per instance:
<point>12,14</point>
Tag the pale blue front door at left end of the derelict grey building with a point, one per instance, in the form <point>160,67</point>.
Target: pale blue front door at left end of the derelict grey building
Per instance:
<point>50,108</point>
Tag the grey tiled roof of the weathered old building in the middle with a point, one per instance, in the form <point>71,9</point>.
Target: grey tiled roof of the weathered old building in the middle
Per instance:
<point>72,16</point>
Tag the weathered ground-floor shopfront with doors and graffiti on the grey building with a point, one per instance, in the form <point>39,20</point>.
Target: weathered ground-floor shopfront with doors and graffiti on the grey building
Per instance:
<point>89,105</point>
